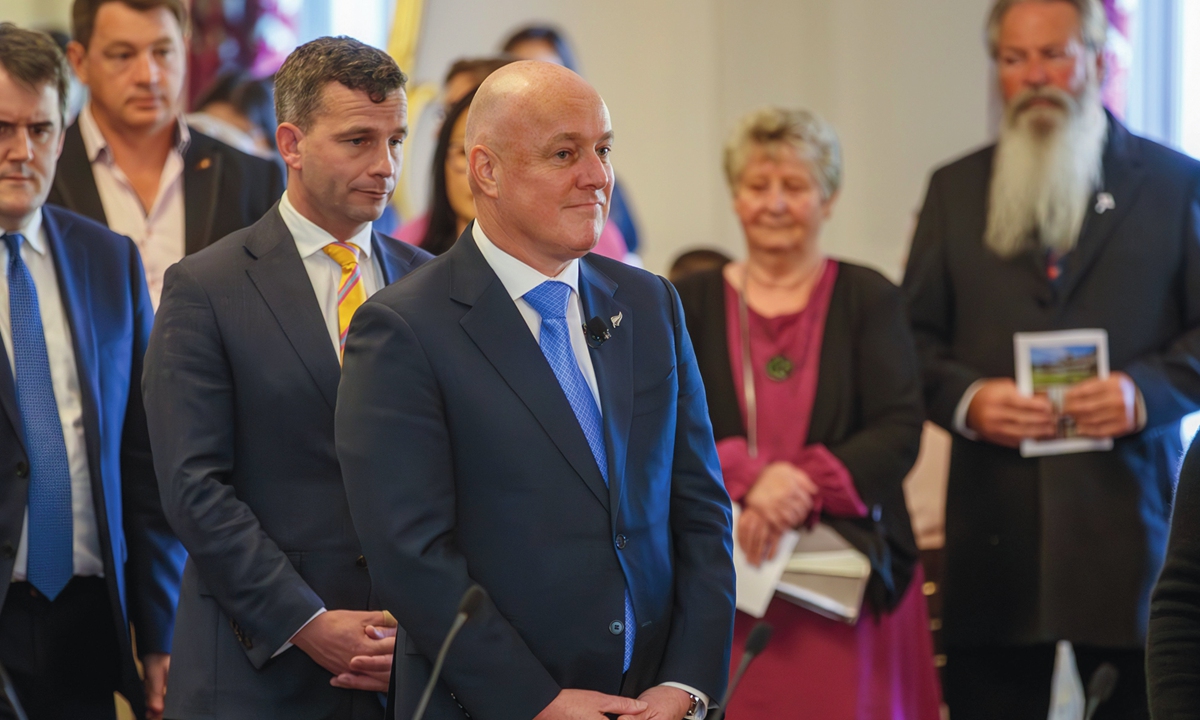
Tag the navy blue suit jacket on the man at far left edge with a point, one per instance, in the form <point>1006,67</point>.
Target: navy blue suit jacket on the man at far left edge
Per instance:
<point>109,311</point>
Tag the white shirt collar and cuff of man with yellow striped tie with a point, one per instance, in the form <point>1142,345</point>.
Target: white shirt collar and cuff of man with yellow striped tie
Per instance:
<point>326,275</point>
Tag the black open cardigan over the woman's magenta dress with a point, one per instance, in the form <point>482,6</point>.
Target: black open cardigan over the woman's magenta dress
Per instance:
<point>868,409</point>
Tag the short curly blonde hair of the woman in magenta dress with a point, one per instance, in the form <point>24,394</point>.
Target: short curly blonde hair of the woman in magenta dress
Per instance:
<point>769,129</point>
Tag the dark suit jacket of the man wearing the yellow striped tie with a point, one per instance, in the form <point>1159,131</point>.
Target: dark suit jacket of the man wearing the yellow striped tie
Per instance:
<point>241,386</point>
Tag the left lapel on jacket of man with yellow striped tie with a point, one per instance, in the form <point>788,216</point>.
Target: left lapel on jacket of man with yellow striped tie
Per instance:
<point>280,277</point>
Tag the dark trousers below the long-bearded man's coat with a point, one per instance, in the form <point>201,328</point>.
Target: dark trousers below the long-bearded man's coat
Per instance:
<point>1013,683</point>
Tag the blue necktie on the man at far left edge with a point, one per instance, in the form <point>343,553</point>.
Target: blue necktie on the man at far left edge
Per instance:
<point>51,533</point>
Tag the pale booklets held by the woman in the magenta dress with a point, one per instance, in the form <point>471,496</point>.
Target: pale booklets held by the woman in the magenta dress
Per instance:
<point>815,569</point>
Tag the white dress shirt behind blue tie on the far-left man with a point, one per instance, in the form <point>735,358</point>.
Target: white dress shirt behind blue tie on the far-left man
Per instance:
<point>35,253</point>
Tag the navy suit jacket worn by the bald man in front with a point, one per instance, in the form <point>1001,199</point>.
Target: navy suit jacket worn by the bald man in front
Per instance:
<point>464,463</point>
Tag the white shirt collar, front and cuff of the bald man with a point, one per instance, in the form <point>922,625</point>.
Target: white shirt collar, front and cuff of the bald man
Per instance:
<point>519,279</point>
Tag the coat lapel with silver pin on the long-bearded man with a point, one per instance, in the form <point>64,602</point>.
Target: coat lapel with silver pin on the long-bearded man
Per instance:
<point>1124,175</point>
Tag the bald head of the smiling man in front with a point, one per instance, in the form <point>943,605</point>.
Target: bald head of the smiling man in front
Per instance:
<point>538,143</point>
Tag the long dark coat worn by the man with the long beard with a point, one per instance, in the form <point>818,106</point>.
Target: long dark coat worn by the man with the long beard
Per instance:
<point>1067,547</point>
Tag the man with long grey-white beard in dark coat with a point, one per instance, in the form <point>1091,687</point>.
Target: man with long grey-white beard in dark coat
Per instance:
<point>1069,223</point>
